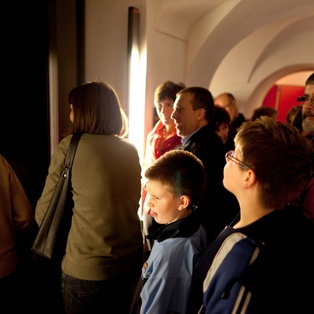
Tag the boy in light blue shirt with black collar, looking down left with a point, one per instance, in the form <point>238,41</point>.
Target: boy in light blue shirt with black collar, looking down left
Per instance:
<point>175,184</point>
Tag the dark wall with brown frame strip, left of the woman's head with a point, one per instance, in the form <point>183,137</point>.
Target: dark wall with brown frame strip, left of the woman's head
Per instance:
<point>43,43</point>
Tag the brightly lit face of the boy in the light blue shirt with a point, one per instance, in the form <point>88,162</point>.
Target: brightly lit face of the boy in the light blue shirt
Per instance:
<point>162,205</point>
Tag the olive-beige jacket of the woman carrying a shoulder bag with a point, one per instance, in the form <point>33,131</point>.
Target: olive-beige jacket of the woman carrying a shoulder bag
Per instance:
<point>105,239</point>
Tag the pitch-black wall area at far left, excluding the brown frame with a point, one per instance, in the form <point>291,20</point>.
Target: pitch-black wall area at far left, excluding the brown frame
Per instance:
<point>24,118</point>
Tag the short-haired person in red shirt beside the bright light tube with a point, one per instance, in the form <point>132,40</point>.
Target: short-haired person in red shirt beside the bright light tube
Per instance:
<point>159,140</point>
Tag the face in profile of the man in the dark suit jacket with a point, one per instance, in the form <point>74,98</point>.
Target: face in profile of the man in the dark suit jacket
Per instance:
<point>186,119</point>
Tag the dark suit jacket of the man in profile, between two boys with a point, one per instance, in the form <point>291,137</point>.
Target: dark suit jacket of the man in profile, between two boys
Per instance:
<point>218,207</point>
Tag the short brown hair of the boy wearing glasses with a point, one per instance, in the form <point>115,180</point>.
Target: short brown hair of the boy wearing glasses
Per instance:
<point>280,157</point>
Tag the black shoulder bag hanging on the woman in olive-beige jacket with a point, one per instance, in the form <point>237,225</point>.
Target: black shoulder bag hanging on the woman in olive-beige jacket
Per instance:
<point>52,235</point>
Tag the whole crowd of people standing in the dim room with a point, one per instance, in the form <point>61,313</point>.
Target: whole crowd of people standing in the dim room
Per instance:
<point>211,182</point>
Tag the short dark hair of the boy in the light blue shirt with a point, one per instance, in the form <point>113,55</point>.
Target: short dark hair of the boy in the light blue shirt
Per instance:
<point>181,172</point>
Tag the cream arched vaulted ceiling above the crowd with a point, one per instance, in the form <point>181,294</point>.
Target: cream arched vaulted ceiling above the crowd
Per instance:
<point>241,45</point>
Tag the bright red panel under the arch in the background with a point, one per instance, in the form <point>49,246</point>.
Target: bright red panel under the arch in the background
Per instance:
<point>283,97</point>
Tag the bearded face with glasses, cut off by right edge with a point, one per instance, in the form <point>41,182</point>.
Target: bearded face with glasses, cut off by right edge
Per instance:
<point>308,109</point>
